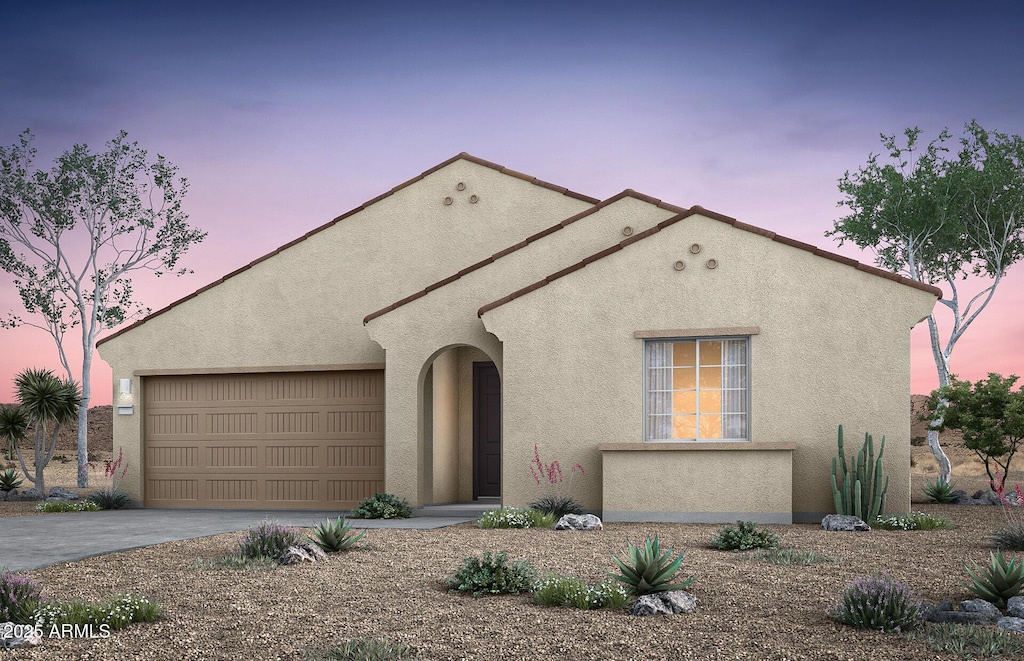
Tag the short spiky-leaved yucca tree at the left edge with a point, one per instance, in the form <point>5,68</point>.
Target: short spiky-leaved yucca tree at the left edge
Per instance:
<point>48,404</point>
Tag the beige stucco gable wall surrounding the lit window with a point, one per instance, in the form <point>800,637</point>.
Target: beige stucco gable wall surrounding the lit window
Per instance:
<point>833,347</point>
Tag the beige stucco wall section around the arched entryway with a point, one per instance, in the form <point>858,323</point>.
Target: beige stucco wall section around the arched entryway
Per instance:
<point>413,334</point>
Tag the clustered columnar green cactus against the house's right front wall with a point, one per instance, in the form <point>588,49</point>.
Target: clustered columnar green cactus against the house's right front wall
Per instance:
<point>860,491</point>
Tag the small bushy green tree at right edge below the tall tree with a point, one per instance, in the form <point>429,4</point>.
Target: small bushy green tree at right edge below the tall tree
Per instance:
<point>990,415</point>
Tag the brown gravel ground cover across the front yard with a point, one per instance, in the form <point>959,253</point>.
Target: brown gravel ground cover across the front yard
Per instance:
<point>394,588</point>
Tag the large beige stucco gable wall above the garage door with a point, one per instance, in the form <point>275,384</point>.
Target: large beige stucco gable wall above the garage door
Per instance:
<point>305,306</point>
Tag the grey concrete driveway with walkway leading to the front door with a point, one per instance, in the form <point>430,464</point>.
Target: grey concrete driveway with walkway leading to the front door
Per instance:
<point>33,543</point>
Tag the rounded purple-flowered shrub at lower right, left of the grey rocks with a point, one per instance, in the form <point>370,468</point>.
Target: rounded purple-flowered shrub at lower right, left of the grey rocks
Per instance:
<point>878,603</point>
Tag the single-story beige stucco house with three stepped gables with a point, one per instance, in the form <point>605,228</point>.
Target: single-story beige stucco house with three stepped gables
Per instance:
<point>421,344</point>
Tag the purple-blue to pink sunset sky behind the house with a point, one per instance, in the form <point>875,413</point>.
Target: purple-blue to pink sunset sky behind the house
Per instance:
<point>286,115</point>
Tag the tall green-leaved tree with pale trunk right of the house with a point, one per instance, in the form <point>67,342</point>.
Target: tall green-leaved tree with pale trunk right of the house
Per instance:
<point>938,216</point>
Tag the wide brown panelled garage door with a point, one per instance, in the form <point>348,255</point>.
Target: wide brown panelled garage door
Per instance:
<point>276,442</point>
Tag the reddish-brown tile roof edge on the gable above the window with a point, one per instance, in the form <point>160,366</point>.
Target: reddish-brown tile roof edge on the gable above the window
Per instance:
<point>715,216</point>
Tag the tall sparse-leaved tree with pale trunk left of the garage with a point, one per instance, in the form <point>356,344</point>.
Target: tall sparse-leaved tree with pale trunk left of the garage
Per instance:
<point>72,237</point>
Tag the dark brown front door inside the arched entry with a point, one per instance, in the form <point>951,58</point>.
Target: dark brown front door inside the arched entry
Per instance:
<point>487,431</point>
